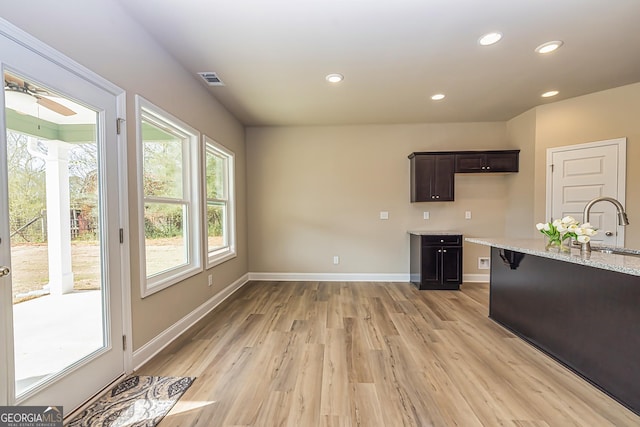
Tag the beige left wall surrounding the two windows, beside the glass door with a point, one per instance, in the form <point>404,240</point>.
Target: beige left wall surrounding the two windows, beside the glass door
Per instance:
<point>100,36</point>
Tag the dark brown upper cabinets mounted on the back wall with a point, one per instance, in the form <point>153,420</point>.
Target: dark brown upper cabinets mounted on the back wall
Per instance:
<point>433,172</point>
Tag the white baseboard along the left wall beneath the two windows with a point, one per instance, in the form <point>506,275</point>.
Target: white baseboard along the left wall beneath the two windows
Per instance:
<point>153,347</point>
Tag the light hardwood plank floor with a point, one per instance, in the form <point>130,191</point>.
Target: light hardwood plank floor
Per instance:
<point>311,354</point>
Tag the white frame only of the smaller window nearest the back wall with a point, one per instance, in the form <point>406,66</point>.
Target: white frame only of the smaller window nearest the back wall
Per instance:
<point>221,254</point>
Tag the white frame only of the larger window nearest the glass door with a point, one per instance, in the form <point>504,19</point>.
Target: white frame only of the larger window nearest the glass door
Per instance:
<point>191,179</point>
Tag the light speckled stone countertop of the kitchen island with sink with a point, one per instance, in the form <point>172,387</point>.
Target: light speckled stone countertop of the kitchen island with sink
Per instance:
<point>626,264</point>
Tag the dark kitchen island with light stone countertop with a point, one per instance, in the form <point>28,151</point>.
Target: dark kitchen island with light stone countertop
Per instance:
<point>582,310</point>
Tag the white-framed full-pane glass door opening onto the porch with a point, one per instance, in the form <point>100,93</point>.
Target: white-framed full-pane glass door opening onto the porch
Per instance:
<point>59,247</point>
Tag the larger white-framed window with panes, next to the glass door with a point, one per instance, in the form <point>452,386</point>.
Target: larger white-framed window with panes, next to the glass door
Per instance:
<point>169,177</point>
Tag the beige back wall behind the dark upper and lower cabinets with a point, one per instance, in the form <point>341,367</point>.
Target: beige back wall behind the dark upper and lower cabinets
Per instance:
<point>316,192</point>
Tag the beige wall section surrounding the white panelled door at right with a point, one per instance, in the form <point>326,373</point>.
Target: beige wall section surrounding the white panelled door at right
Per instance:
<point>599,116</point>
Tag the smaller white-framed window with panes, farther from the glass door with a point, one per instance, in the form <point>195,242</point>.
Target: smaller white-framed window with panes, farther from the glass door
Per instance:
<point>220,213</point>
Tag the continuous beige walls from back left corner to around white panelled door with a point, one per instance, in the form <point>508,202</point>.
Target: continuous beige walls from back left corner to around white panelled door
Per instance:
<point>316,192</point>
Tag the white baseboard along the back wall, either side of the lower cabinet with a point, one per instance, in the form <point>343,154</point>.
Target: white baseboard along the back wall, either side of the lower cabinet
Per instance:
<point>350,277</point>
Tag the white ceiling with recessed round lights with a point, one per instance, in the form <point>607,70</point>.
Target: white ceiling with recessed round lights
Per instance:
<point>273,55</point>
